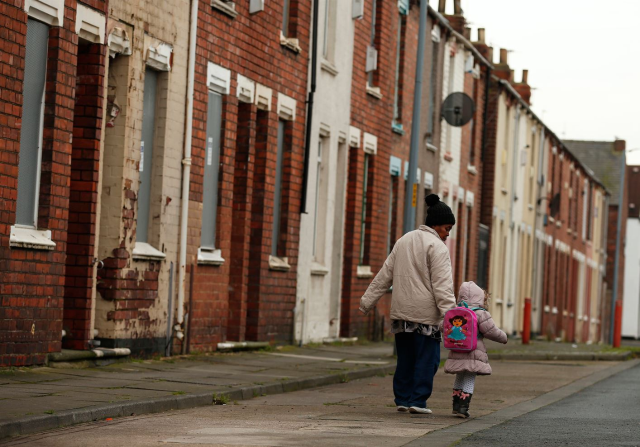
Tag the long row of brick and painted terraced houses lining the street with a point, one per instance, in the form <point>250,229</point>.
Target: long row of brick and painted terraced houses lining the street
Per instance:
<point>184,176</point>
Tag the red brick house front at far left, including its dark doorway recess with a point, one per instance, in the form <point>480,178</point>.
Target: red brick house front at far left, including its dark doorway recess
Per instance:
<point>35,291</point>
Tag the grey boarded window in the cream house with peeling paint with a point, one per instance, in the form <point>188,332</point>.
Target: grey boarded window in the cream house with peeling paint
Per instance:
<point>146,152</point>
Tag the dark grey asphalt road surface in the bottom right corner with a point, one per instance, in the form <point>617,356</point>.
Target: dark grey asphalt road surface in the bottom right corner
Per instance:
<point>605,414</point>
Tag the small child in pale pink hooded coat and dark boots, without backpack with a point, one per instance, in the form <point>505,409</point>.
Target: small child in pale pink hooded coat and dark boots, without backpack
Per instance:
<point>466,365</point>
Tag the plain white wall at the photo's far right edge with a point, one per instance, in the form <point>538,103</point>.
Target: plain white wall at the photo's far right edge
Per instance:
<point>631,298</point>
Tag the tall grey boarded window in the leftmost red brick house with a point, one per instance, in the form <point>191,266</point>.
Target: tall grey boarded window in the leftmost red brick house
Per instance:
<point>35,68</point>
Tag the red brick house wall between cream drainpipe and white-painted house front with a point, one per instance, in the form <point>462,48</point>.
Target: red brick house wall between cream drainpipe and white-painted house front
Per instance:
<point>244,299</point>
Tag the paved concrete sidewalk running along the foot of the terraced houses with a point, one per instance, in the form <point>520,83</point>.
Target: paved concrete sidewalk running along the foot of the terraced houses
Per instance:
<point>38,399</point>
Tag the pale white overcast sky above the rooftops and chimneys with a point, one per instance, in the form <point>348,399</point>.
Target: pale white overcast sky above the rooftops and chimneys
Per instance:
<point>583,58</point>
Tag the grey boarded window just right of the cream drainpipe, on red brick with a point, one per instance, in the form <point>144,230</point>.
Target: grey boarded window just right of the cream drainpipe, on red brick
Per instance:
<point>211,170</point>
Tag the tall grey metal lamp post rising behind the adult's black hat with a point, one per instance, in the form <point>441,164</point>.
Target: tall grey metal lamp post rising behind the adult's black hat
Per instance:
<point>411,192</point>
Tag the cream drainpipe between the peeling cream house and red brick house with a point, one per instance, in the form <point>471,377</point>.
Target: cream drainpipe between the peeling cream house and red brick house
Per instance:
<point>186,170</point>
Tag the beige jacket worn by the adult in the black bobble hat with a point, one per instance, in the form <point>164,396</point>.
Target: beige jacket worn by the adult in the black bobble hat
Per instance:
<point>419,268</point>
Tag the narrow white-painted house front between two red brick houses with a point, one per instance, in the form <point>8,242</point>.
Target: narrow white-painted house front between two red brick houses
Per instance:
<point>317,313</point>
